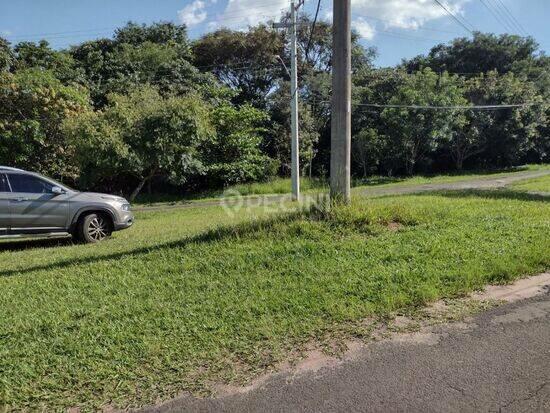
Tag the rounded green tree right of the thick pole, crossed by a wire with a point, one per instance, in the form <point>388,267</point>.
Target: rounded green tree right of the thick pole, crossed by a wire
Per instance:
<point>418,132</point>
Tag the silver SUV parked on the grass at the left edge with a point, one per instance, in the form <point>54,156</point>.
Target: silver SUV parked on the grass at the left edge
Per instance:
<point>31,204</point>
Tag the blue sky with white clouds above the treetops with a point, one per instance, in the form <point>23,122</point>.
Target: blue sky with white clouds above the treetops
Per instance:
<point>398,28</point>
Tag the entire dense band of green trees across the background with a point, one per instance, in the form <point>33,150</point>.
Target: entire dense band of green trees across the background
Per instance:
<point>147,78</point>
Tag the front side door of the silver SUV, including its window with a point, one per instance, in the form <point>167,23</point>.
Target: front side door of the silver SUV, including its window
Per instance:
<point>33,206</point>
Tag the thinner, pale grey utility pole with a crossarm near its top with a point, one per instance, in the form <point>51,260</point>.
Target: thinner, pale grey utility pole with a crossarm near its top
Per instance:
<point>294,121</point>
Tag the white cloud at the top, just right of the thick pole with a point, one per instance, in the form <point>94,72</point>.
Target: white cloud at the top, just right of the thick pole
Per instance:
<point>406,14</point>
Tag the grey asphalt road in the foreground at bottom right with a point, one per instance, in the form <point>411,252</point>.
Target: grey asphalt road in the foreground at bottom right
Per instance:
<point>499,361</point>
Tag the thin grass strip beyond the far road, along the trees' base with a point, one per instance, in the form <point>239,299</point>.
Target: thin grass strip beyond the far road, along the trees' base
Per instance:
<point>283,185</point>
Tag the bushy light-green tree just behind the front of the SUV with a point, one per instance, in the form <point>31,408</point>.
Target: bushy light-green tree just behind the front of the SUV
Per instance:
<point>145,135</point>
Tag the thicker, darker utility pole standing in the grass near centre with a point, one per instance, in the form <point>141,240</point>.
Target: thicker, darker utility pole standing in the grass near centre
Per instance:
<point>340,153</point>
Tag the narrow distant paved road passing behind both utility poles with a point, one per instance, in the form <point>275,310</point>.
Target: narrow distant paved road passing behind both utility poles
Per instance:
<point>486,182</point>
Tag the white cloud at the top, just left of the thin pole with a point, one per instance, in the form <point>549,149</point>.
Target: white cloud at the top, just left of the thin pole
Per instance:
<point>239,13</point>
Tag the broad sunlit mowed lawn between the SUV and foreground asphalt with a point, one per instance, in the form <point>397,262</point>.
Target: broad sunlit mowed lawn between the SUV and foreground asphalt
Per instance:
<point>174,304</point>
